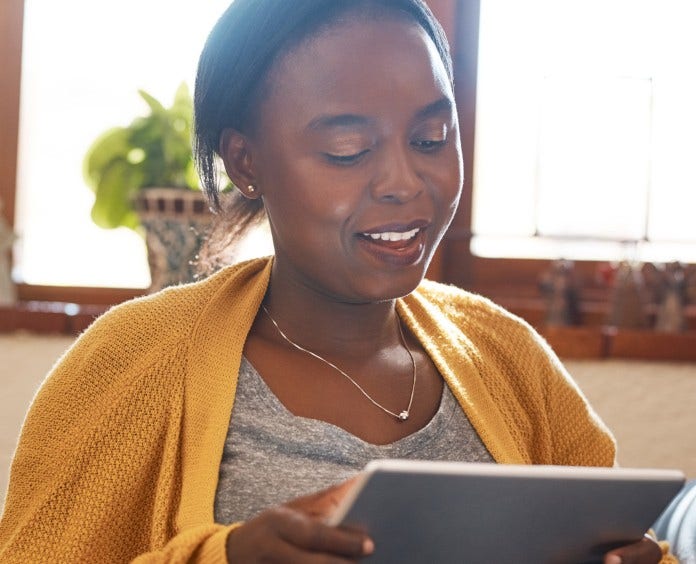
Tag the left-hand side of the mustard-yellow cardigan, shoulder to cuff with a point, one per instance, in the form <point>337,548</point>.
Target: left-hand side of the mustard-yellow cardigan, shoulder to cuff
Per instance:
<point>100,470</point>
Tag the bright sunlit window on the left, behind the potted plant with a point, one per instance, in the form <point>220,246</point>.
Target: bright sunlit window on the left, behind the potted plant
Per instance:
<point>83,62</point>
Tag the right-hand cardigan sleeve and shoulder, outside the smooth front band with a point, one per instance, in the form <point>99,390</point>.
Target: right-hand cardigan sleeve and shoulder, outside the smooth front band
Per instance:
<point>544,410</point>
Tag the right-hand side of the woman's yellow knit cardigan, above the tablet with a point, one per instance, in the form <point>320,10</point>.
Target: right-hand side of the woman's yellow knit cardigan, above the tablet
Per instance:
<point>515,391</point>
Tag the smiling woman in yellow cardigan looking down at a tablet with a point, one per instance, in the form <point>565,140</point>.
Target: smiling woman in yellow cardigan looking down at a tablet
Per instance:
<point>180,425</point>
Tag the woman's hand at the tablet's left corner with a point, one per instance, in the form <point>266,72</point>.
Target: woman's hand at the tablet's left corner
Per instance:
<point>296,532</point>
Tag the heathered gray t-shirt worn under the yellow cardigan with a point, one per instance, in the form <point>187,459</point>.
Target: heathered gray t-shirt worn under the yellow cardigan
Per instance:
<point>272,456</point>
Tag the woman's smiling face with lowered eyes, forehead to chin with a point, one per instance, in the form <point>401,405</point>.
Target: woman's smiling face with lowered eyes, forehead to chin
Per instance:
<point>358,159</point>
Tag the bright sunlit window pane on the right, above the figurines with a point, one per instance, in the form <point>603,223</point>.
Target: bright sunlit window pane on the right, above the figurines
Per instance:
<point>585,126</point>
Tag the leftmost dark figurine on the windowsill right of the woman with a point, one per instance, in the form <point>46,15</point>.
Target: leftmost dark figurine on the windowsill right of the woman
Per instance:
<point>559,287</point>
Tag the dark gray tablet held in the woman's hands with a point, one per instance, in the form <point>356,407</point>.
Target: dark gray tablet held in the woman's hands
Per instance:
<point>450,512</point>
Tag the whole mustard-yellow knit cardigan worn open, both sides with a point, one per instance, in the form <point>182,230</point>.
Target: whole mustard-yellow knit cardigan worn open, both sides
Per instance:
<point>120,451</point>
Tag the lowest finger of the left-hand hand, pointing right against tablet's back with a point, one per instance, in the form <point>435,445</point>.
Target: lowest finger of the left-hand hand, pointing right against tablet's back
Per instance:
<point>311,534</point>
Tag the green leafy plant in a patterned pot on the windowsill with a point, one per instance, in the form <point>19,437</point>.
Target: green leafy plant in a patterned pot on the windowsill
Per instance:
<point>143,178</point>
